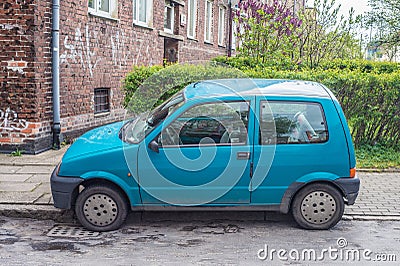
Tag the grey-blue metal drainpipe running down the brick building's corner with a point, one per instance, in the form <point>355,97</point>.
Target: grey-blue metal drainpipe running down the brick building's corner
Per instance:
<point>56,73</point>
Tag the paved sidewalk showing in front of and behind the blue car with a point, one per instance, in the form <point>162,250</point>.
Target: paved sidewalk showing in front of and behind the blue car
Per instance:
<point>25,188</point>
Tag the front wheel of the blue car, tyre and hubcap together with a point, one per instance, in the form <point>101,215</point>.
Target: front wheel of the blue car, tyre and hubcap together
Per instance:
<point>101,208</point>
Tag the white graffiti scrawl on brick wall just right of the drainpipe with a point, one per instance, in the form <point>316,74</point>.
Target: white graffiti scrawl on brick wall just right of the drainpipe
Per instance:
<point>79,50</point>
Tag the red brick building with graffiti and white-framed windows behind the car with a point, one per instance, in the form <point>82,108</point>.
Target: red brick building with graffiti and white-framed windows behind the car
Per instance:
<point>99,41</point>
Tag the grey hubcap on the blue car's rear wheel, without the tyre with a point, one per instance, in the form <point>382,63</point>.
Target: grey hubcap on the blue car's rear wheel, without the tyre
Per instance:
<point>318,207</point>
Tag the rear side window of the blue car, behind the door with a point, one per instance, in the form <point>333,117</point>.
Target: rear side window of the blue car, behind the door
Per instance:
<point>294,122</point>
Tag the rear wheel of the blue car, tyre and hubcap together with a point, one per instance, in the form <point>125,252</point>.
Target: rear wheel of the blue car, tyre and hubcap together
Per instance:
<point>318,207</point>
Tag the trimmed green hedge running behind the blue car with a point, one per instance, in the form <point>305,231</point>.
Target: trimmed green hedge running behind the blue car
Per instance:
<point>369,92</point>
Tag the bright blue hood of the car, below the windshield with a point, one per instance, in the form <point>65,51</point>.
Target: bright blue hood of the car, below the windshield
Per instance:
<point>95,141</point>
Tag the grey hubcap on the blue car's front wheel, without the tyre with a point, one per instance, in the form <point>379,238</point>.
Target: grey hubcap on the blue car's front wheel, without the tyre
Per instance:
<point>100,210</point>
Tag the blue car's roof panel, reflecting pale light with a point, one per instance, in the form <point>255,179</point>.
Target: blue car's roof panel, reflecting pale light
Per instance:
<point>259,87</point>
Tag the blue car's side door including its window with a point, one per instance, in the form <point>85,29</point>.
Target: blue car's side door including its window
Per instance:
<point>204,156</point>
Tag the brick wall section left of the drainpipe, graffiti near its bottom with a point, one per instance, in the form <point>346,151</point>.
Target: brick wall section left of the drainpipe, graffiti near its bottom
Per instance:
<point>24,46</point>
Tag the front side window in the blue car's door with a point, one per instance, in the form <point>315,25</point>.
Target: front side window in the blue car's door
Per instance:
<point>220,123</point>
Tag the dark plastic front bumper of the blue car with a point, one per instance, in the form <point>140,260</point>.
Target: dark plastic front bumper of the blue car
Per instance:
<point>64,189</point>
